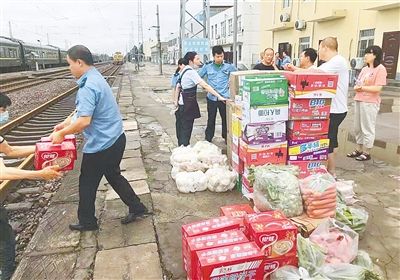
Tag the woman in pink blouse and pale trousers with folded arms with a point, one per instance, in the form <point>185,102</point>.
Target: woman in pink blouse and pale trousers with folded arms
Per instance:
<point>367,100</point>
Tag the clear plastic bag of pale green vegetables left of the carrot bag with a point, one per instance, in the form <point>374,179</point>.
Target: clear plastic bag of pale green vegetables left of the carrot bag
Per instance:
<point>277,190</point>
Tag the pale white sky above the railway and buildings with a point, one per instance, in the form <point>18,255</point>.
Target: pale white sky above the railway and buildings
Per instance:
<point>104,26</point>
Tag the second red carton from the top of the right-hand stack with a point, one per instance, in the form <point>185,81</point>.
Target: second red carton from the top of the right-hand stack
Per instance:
<point>309,108</point>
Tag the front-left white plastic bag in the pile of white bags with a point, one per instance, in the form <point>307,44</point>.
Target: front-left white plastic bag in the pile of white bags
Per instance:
<point>187,182</point>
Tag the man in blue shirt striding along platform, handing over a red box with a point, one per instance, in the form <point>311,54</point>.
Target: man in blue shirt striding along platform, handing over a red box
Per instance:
<point>97,115</point>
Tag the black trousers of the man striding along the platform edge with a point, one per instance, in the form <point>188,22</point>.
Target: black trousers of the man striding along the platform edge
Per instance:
<point>94,166</point>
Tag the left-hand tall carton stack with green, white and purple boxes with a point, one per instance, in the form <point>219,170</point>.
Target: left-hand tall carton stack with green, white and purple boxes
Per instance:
<point>259,132</point>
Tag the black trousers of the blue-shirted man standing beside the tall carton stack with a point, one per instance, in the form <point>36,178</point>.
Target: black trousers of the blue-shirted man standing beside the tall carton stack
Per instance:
<point>212,107</point>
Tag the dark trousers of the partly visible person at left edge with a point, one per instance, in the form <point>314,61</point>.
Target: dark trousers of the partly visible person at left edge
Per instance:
<point>7,246</point>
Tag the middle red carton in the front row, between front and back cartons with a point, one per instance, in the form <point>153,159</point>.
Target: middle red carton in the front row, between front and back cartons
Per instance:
<point>214,240</point>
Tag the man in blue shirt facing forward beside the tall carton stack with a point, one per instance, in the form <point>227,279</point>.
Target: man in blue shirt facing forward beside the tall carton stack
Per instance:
<point>217,73</point>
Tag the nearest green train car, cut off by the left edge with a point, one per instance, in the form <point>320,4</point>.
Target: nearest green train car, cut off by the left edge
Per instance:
<point>10,55</point>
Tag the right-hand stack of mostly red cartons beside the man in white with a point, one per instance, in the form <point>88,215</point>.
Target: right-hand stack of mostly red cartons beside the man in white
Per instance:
<point>308,125</point>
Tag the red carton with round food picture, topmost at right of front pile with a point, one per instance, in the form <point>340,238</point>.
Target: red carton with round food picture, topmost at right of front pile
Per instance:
<point>276,238</point>
